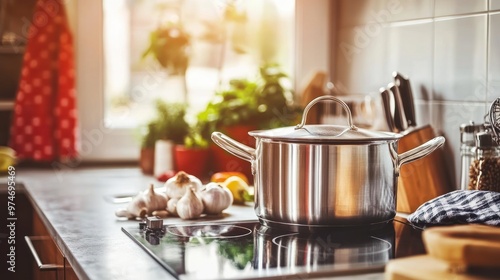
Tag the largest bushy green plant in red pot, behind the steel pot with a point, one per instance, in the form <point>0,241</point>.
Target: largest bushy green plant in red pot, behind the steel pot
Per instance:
<point>247,105</point>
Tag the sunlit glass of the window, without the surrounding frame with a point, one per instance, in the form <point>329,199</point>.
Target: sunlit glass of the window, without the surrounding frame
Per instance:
<point>186,50</point>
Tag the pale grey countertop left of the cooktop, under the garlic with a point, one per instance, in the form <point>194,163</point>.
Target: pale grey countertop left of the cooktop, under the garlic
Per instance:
<point>76,206</point>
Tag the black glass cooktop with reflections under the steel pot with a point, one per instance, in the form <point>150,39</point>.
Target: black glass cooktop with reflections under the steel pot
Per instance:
<point>248,250</point>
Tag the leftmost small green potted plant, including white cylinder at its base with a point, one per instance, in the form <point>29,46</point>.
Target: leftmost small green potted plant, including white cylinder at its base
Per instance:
<point>162,133</point>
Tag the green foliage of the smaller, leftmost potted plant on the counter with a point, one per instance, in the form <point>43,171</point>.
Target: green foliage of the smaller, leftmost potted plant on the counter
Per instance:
<point>169,124</point>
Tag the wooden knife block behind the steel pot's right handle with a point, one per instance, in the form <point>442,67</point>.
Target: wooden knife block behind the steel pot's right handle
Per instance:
<point>423,179</point>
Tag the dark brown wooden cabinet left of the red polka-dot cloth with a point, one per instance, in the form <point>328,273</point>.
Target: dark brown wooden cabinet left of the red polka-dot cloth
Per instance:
<point>15,18</point>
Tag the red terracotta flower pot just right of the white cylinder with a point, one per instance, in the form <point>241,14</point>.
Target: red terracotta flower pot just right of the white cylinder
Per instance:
<point>191,160</point>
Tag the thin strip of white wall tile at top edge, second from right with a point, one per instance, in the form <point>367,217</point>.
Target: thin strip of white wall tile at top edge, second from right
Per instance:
<point>458,7</point>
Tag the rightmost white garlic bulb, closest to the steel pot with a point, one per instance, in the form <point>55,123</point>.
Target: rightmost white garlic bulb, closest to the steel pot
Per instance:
<point>215,198</point>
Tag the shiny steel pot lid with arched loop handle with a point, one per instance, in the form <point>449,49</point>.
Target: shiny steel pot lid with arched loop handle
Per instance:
<point>326,133</point>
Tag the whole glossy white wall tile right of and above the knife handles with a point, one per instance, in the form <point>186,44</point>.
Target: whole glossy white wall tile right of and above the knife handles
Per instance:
<point>460,58</point>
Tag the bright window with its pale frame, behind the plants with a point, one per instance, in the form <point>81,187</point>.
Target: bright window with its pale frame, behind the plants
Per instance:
<point>117,84</point>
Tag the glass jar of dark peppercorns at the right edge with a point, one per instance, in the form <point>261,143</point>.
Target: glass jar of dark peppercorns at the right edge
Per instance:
<point>484,172</point>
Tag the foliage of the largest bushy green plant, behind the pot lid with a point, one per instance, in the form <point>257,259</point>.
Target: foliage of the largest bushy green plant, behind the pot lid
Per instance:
<point>263,103</point>
